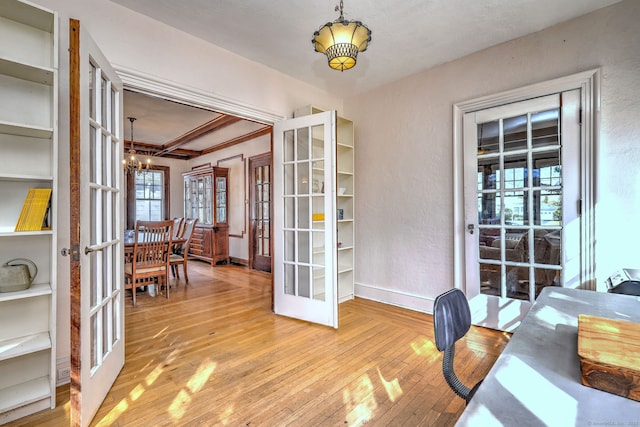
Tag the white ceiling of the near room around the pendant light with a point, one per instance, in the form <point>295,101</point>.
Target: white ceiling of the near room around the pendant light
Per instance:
<point>408,36</point>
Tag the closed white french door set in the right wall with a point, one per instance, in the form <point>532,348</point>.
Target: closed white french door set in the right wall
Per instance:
<point>521,203</point>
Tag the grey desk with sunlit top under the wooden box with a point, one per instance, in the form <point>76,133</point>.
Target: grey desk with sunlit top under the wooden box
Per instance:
<point>536,381</point>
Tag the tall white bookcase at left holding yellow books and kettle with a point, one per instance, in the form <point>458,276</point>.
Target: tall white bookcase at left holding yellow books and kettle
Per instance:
<point>28,148</point>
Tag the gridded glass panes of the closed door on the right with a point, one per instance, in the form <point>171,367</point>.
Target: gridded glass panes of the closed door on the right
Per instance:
<point>519,213</point>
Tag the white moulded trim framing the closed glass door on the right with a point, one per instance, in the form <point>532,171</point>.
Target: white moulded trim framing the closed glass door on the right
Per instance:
<point>589,84</point>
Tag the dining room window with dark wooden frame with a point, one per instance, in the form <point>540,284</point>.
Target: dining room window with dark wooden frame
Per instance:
<point>148,196</point>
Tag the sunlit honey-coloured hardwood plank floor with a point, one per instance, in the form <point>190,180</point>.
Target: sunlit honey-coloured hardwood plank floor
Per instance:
<point>215,354</point>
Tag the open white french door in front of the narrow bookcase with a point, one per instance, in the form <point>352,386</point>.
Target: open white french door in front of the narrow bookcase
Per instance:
<point>305,280</point>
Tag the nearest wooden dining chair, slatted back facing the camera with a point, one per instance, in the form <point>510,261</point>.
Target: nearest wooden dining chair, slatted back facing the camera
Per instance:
<point>150,258</point>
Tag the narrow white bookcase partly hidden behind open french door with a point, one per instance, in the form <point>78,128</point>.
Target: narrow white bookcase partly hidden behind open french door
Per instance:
<point>345,238</point>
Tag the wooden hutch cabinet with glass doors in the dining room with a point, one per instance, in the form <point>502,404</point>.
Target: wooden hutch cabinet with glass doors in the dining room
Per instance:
<point>206,198</point>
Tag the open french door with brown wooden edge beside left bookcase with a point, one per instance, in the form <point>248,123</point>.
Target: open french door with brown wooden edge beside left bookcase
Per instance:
<point>97,336</point>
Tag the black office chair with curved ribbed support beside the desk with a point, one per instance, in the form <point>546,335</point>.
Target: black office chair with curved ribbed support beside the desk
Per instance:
<point>451,321</point>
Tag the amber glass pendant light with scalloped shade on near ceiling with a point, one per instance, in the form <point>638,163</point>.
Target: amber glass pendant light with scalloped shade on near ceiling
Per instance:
<point>341,40</point>
